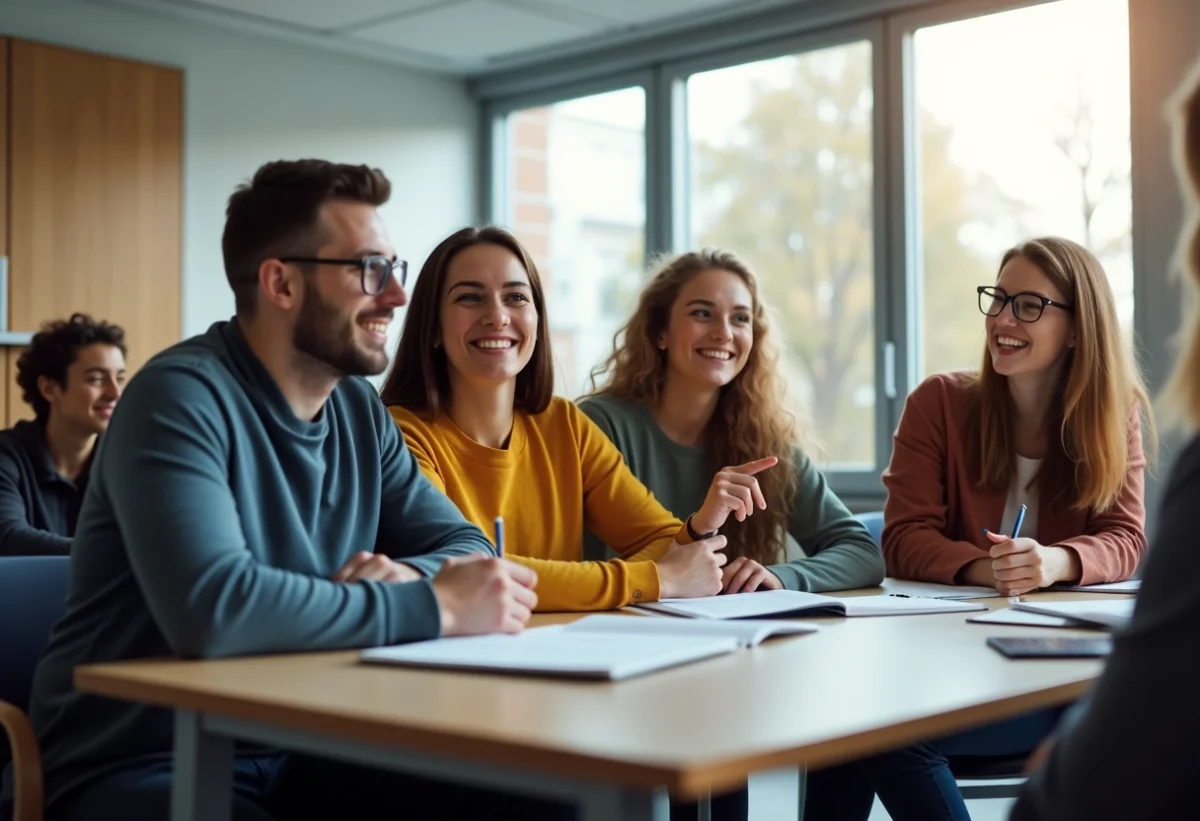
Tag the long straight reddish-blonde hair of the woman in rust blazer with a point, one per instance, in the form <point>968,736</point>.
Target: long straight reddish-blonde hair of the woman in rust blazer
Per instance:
<point>1089,418</point>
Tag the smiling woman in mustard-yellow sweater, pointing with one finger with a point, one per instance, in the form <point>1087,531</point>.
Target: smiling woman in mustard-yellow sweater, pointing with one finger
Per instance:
<point>471,389</point>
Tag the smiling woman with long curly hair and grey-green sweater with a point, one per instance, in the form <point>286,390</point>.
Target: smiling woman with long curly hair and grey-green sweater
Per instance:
<point>693,385</point>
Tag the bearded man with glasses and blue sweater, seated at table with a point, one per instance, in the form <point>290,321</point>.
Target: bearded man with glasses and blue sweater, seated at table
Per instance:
<point>253,498</point>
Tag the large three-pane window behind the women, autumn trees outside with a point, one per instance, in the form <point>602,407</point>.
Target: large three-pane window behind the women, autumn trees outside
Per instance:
<point>872,172</point>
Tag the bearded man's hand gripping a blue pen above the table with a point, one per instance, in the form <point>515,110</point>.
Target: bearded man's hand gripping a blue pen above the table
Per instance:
<point>481,595</point>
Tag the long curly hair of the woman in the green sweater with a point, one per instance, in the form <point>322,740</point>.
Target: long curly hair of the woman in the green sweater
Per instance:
<point>752,420</point>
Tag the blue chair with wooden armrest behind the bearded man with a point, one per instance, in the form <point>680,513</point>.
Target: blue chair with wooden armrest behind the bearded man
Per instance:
<point>33,598</point>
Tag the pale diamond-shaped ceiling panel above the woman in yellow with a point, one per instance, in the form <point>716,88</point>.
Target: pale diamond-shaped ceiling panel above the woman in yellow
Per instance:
<point>471,33</point>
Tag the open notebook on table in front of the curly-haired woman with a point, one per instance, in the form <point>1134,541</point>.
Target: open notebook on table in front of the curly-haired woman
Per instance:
<point>785,604</point>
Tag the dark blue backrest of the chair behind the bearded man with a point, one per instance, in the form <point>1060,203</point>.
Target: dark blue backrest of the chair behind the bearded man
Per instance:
<point>33,598</point>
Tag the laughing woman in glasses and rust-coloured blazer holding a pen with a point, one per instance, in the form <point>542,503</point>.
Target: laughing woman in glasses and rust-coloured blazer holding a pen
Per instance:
<point>1053,422</point>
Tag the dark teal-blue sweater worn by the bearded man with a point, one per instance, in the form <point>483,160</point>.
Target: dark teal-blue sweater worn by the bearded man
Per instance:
<point>212,525</point>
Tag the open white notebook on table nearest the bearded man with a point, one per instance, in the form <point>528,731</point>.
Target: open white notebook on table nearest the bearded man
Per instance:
<point>603,648</point>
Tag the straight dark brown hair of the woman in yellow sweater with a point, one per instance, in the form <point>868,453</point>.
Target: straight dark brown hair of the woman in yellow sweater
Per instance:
<point>419,379</point>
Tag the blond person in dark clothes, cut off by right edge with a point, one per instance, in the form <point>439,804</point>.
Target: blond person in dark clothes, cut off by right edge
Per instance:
<point>1131,752</point>
